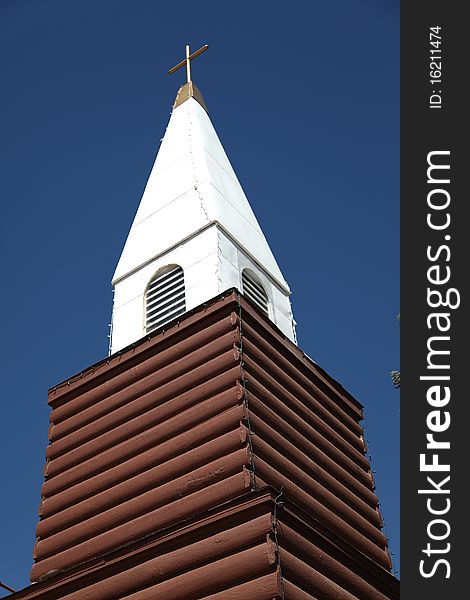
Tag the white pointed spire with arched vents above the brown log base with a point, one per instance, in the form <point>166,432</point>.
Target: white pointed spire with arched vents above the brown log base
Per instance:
<point>193,215</point>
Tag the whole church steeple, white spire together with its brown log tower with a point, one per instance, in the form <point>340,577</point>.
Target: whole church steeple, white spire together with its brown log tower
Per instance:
<point>212,459</point>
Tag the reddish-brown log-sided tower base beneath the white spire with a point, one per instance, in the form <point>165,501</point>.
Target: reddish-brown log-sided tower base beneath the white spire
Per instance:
<point>210,460</point>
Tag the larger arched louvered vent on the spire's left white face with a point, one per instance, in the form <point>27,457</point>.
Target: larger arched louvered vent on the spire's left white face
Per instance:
<point>165,298</point>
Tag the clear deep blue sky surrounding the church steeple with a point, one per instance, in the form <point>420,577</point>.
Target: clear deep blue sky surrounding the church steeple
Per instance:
<point>305,98</point>
